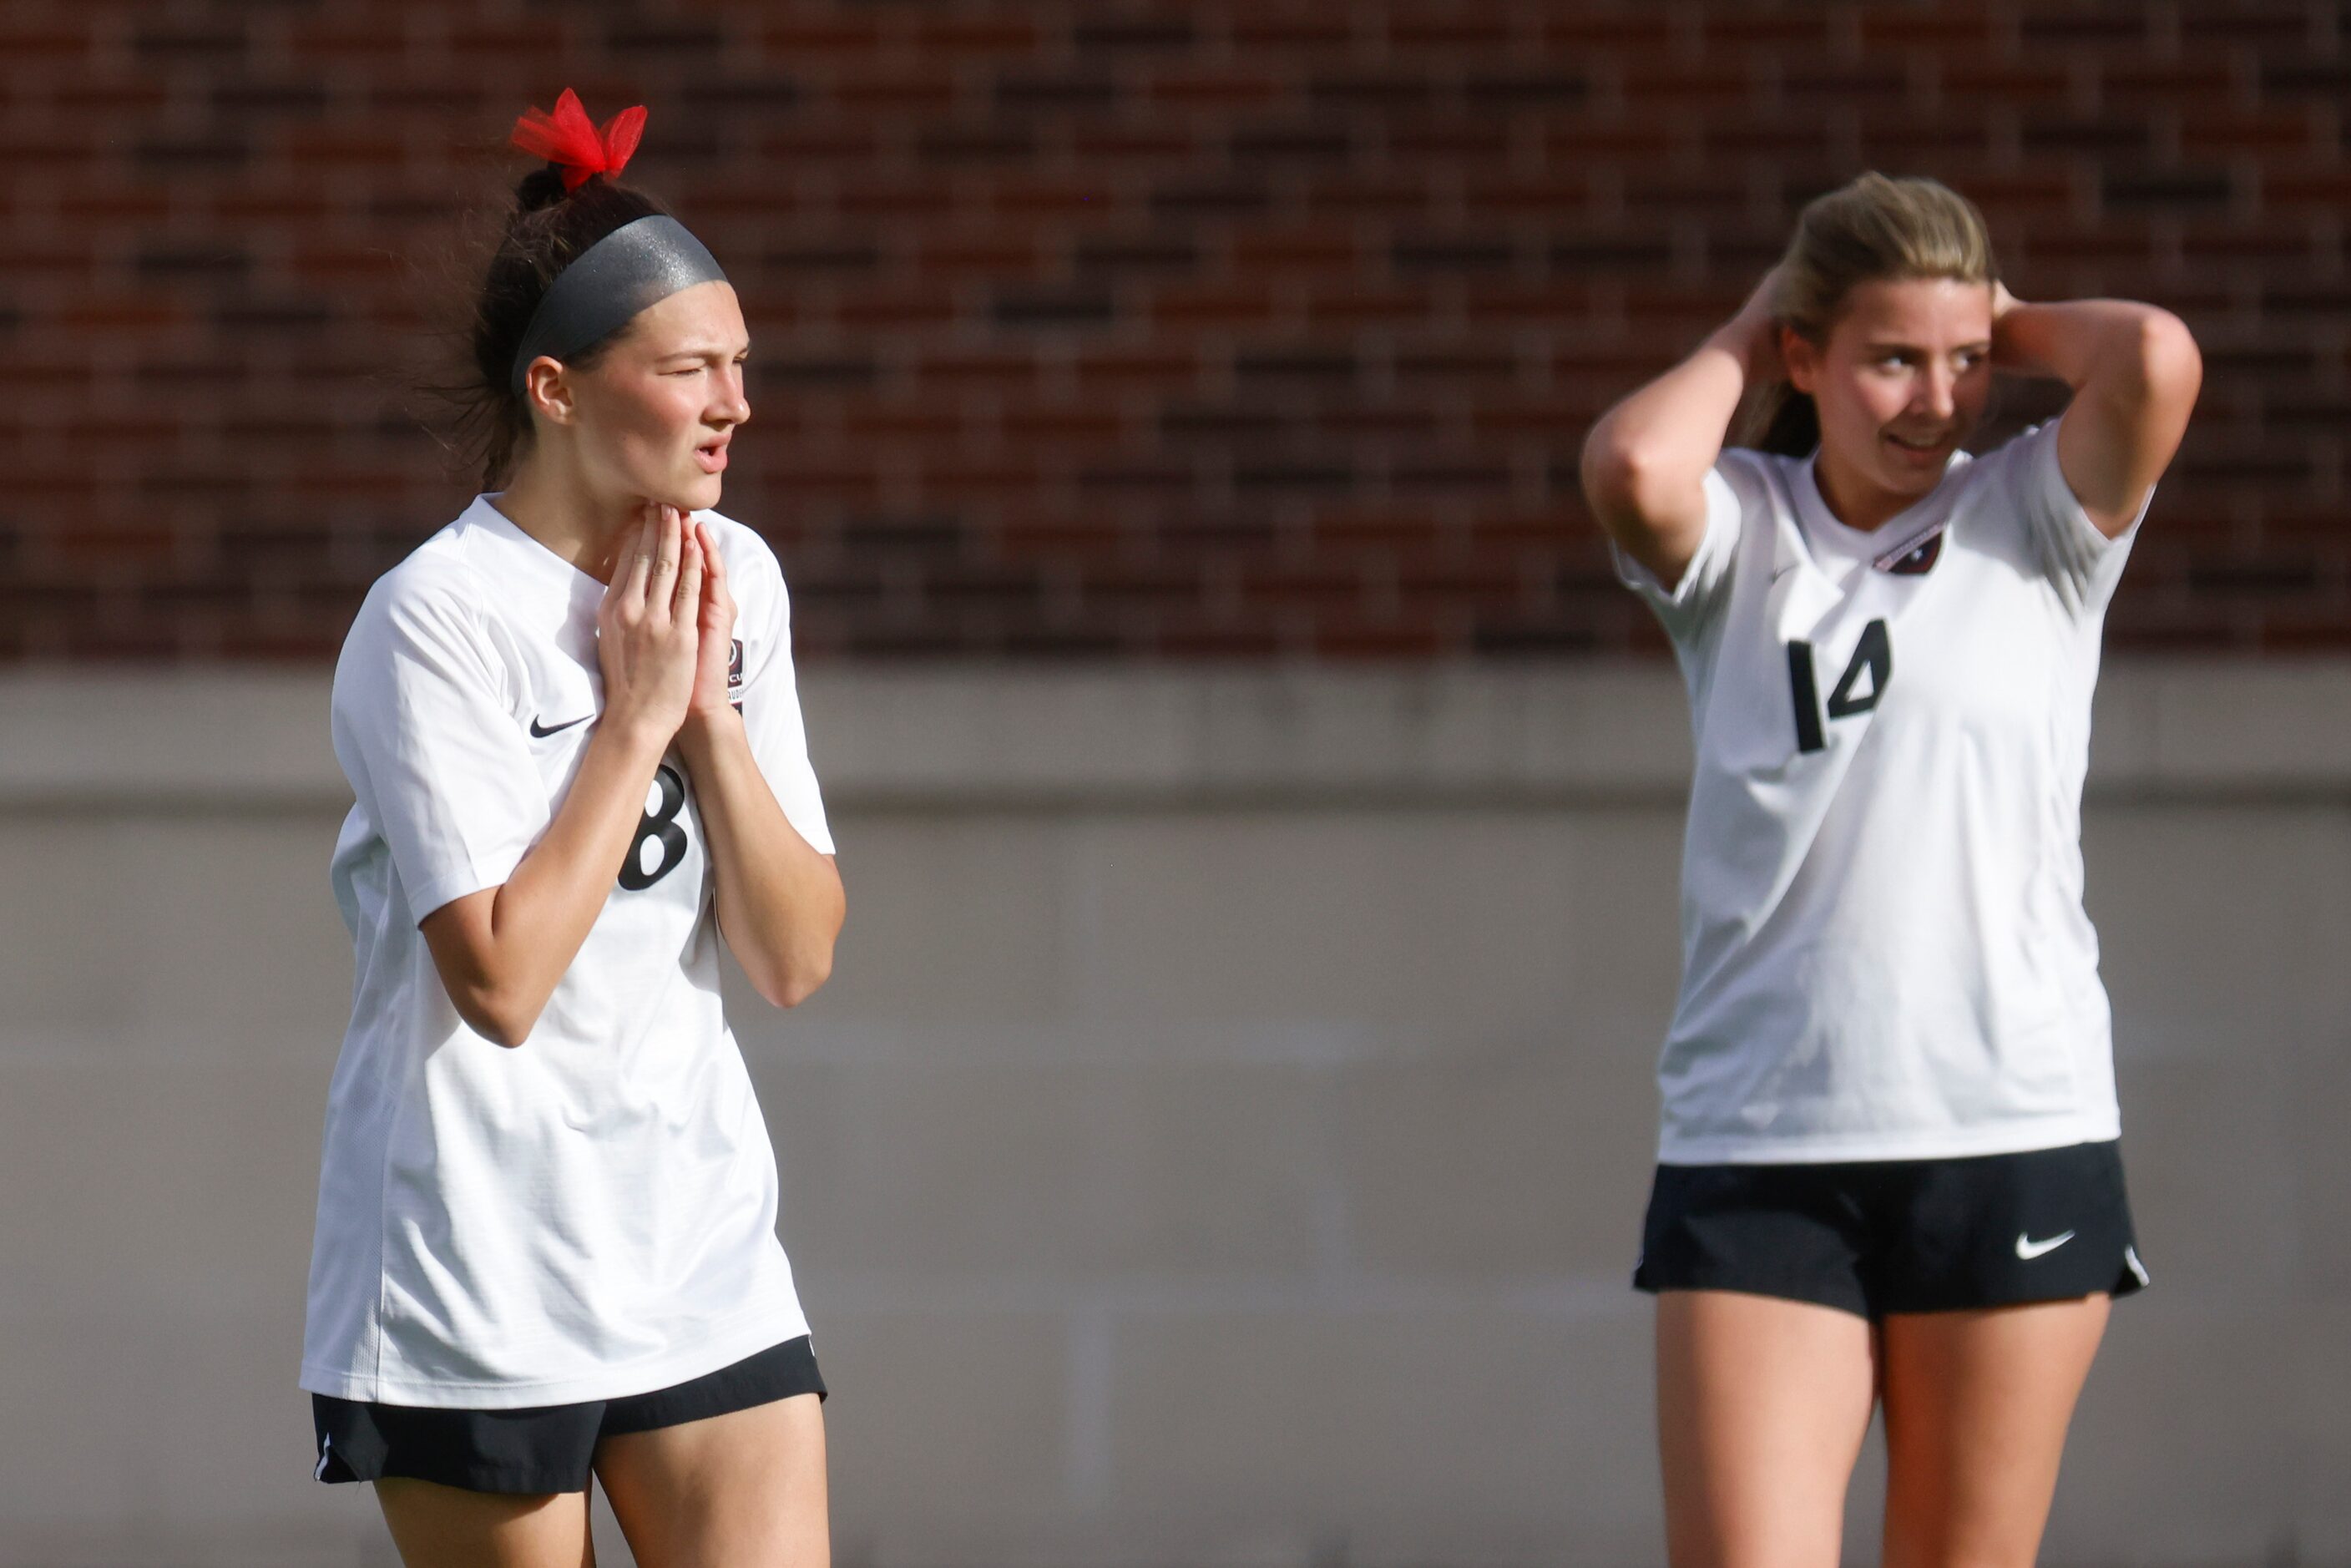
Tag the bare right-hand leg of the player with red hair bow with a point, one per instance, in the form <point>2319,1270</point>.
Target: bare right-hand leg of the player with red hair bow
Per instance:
<point>732,1492</point>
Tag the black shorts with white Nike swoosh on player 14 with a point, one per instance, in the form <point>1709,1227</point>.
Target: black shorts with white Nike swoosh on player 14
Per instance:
<point>1898,1235</point>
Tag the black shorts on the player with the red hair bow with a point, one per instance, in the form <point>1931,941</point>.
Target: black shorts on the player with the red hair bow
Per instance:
<point>544,1449</point>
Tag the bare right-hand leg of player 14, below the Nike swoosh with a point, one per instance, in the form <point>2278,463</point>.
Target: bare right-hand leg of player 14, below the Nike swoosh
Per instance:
<point>1976,1416</point>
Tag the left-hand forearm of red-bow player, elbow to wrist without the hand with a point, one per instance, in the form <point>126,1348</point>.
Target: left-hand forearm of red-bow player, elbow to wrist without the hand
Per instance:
<point>504,951</point>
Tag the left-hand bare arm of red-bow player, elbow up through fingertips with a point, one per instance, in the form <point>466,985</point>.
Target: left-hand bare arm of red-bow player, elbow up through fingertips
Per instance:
<point>502,951</point>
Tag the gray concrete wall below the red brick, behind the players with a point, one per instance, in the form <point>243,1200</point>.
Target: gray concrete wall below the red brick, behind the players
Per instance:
<point>1224,1139</point>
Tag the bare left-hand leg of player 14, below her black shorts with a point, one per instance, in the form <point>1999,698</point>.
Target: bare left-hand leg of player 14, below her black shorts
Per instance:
<point>1762,1409</point>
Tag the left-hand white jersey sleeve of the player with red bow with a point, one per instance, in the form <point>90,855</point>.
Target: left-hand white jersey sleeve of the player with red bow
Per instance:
<point>431,746</point>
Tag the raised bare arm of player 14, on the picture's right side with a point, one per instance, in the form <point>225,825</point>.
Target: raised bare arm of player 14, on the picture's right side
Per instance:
<point>2134,370</point>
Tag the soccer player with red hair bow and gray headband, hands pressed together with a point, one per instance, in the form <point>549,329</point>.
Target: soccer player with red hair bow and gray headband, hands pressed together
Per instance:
<point>547,1228</point>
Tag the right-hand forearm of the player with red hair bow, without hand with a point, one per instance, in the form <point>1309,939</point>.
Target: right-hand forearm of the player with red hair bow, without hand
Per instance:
<point>779,899</point>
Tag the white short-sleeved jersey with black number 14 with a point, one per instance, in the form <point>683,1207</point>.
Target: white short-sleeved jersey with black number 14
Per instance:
<point>1884,951</point>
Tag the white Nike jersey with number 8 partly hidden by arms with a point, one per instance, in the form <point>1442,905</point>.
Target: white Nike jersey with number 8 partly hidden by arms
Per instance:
<point>591,1214</point>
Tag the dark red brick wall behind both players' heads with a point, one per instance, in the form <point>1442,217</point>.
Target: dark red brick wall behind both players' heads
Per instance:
<point>1235,328</point>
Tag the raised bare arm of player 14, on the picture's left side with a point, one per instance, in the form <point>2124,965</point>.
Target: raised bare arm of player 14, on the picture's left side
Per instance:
<point>1647,460</point>
